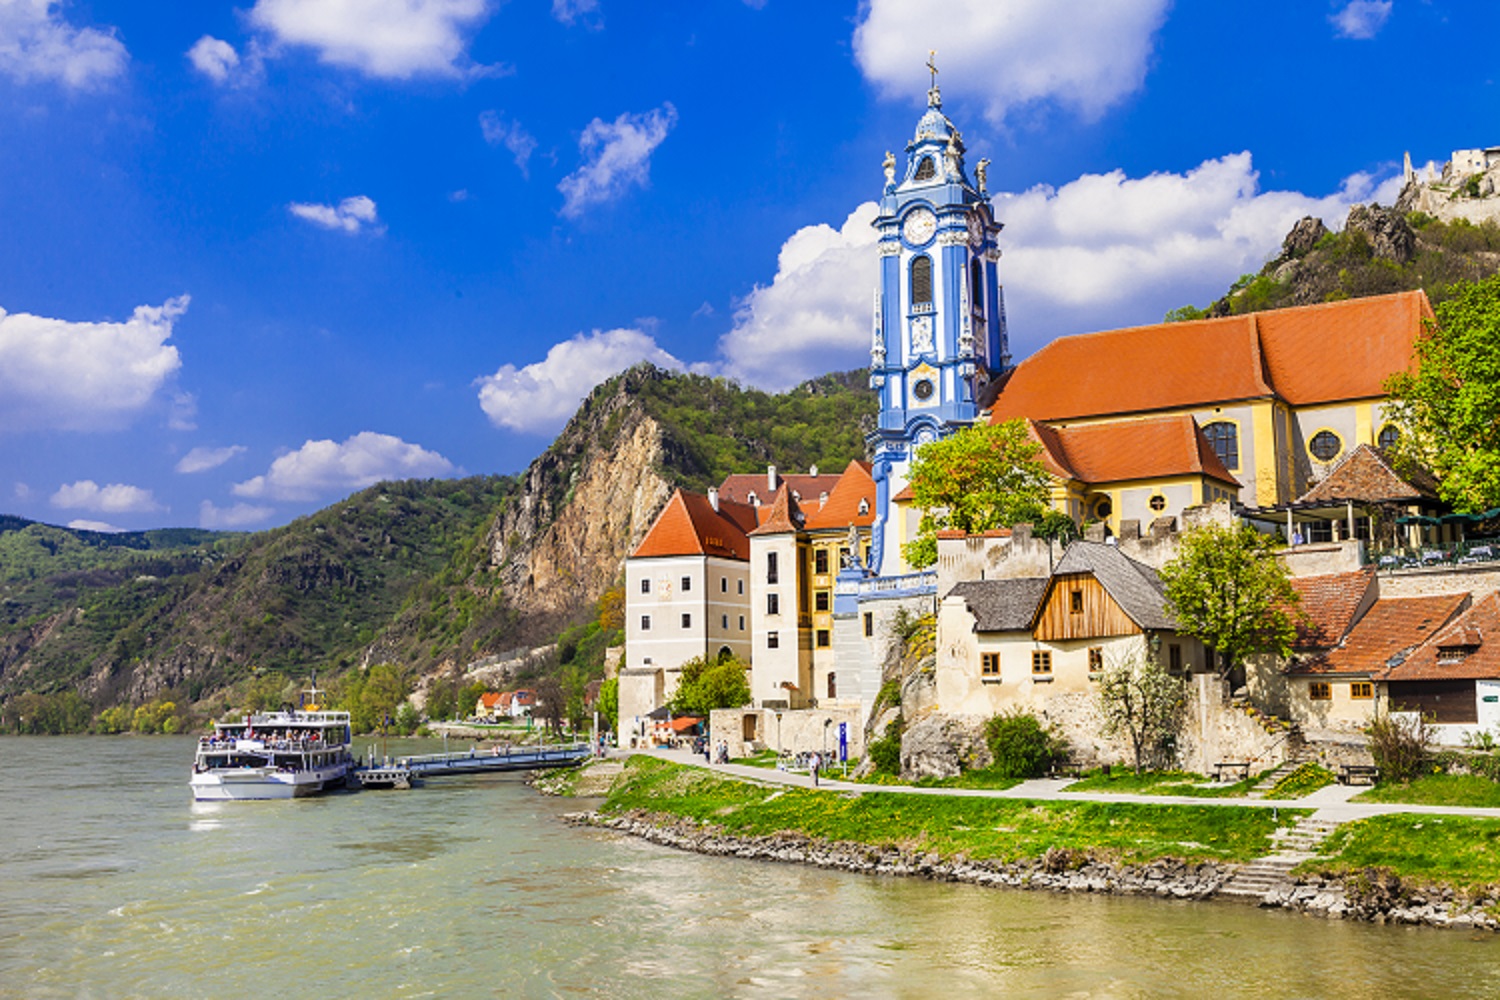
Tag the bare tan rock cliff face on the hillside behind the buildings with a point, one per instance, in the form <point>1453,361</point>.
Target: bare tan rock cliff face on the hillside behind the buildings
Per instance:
<point>584,506</point>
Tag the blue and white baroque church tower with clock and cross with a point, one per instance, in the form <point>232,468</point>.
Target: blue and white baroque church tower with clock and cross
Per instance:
<point>940,313</point>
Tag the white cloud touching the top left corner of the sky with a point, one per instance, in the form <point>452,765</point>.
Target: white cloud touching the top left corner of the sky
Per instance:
<point>38,44</point>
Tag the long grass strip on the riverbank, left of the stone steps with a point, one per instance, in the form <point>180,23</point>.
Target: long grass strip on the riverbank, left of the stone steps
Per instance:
<point>1003,830</point>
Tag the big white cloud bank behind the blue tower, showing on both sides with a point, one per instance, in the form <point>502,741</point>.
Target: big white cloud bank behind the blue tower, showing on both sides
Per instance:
<point>1100,253</point>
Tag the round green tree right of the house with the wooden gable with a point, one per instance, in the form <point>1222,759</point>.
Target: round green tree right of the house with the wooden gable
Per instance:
<point>1228,590</point>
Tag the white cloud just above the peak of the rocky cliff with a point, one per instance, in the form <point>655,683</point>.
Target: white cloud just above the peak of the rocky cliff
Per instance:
<point>541,397</point>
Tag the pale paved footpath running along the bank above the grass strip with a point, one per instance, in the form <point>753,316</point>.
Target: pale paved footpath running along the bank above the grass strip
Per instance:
<point>1333,803</point>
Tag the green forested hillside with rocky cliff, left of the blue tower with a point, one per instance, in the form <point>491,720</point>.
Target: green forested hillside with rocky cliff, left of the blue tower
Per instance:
<point>419,576</point>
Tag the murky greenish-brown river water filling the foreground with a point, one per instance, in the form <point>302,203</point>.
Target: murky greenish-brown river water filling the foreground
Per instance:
<point>115,884</point>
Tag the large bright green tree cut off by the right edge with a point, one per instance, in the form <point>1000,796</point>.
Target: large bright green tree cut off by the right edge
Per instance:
<point>1448,407</point>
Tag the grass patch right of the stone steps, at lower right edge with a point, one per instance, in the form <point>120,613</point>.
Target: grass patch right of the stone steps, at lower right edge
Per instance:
<point>1447,849</point>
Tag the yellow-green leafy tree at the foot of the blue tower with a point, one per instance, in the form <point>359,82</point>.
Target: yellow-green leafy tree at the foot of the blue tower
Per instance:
<point>988,476</point>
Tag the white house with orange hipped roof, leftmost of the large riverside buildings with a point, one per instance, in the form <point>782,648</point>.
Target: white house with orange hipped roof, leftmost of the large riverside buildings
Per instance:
<point>688,594</point>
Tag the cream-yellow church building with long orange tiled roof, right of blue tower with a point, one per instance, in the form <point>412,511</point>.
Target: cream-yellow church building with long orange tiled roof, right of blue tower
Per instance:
<point>1280,397</point>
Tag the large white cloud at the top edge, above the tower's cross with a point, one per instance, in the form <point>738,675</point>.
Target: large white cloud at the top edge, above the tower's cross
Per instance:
<point>1079,55</point>
